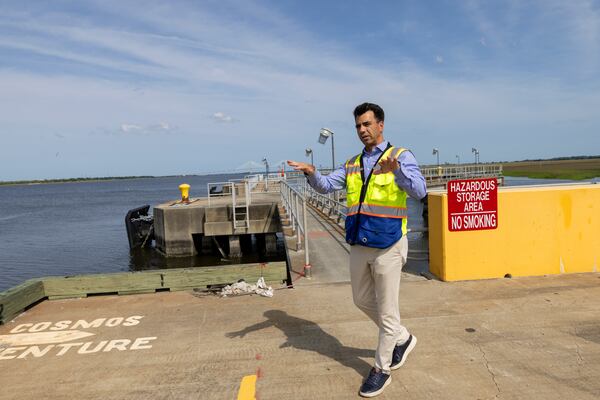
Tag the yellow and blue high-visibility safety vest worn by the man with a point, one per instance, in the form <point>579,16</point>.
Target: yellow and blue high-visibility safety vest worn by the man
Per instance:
<point>377,213</point>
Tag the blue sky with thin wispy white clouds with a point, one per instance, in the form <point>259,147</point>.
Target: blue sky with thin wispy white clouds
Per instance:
<point>122,88</point>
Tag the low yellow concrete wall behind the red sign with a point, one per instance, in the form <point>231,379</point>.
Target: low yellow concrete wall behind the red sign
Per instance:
<point>541,230</point>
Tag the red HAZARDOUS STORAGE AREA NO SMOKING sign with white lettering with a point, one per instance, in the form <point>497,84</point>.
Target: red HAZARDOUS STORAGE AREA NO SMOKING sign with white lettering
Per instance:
<point>473,204</point>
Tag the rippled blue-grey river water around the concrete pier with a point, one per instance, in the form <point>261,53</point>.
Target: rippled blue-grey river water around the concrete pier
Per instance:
<point>78,228</point>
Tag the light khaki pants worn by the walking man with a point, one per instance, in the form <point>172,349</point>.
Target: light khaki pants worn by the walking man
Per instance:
<point>375,278</point>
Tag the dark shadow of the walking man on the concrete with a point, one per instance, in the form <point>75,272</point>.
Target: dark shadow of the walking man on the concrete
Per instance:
<point>303,334</point>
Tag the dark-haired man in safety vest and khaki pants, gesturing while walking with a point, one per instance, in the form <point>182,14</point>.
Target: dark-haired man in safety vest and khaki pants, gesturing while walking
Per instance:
<point>377,183</point>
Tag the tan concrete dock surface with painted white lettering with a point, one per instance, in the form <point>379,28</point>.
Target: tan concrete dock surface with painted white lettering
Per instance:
<point>526,338</point>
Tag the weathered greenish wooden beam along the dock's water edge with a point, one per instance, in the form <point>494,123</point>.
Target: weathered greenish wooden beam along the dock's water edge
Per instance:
<point>19,298</point>
